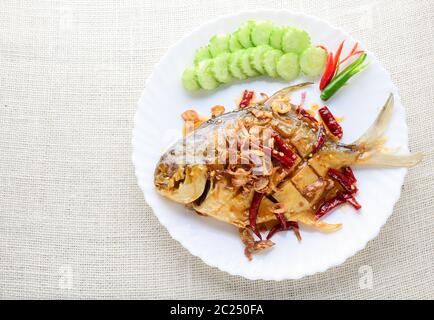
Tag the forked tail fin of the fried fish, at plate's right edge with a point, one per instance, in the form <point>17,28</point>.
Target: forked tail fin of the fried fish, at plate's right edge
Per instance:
<point>369,145</point>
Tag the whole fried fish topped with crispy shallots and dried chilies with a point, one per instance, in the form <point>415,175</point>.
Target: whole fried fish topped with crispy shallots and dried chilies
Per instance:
<point>229,162</point>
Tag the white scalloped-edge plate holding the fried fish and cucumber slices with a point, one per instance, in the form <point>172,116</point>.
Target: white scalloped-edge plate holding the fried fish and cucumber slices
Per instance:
<point>158,124</point>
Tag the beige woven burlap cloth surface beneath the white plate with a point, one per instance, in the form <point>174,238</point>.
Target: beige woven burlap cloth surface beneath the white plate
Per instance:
<point>73,223</point>
